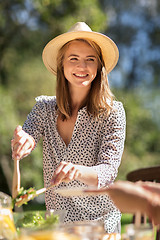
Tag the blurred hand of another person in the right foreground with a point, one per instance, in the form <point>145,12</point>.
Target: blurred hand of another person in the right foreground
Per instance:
<point>141,197</point>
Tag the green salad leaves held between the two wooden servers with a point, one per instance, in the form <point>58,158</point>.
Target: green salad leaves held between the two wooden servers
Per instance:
<point>24,196</point>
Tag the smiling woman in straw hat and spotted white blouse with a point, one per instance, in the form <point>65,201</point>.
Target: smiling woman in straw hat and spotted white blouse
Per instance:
<point>83,128</point>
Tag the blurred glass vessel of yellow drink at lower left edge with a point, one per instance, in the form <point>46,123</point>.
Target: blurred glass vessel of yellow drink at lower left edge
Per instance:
<point>7,227</point>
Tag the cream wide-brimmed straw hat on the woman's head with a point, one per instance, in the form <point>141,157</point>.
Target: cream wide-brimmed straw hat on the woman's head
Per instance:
<point>80,30</point>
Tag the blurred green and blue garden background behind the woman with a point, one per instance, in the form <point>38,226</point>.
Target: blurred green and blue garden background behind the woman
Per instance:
<point>25,28</point>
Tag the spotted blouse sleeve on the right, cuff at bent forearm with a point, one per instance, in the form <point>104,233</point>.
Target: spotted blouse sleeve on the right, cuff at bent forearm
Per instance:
<point>112,146</point>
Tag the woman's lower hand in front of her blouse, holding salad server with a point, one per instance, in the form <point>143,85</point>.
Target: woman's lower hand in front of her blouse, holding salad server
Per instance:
<point>65,172</point>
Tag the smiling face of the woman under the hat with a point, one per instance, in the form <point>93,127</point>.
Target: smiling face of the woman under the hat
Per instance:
<point>80,64</point>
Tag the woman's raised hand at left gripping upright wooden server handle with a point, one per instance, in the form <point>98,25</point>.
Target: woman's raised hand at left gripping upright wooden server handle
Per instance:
<point>21,144</point>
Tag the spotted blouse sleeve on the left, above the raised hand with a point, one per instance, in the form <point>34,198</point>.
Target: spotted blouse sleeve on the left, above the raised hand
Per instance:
<point>34,125</point>
